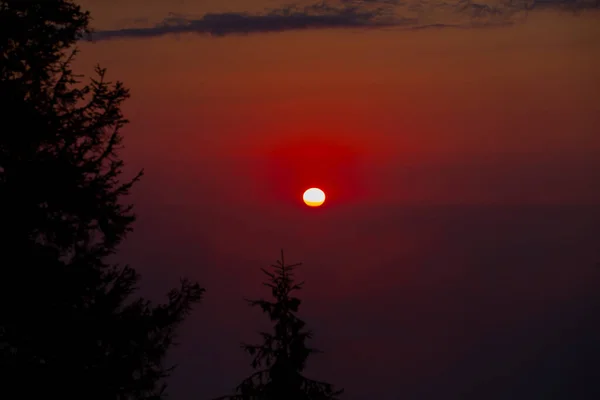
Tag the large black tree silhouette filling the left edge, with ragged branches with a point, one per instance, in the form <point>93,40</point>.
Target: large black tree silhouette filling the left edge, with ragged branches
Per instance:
<point>69,325</point>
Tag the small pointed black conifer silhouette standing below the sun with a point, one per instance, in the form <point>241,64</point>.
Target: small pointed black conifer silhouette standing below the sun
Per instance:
<point>280,360</point>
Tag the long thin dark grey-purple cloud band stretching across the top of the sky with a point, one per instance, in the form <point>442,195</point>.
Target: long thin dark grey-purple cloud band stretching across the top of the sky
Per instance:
<point>354,14</point>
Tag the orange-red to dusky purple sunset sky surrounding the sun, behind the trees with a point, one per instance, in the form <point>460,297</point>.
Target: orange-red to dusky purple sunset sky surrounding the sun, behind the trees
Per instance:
<point>459,147</point>
